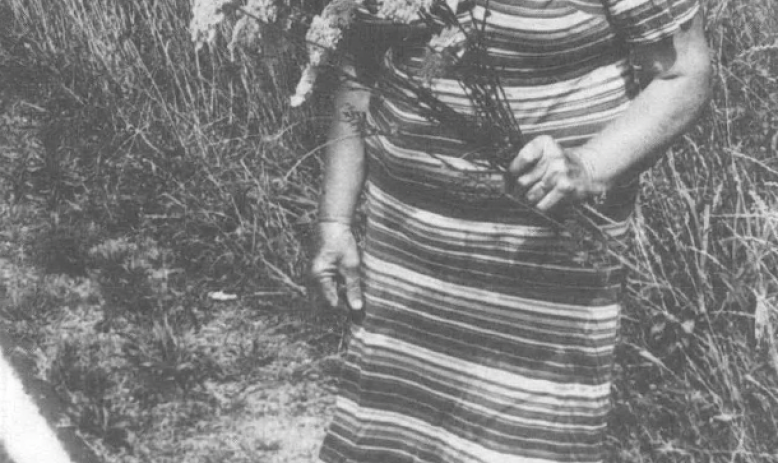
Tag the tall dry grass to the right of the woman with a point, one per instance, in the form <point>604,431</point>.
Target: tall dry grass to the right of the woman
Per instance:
<point>696,380</point>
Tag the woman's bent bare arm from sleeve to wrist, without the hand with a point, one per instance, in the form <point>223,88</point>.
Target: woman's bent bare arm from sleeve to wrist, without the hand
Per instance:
<point>665,109</point>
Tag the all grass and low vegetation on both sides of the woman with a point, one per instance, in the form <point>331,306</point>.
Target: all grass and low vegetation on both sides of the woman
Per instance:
<point>137,176</point>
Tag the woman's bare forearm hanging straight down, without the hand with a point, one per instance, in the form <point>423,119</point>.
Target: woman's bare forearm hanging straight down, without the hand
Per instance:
<point>344,172</point>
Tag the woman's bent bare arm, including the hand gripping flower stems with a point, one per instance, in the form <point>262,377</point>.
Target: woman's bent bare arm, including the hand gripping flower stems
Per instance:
<point>679,72</point>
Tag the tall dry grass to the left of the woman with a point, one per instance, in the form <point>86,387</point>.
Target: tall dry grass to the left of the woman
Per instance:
<point>149,135</point>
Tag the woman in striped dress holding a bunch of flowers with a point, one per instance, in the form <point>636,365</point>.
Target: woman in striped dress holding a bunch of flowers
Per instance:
<point>486,338</point>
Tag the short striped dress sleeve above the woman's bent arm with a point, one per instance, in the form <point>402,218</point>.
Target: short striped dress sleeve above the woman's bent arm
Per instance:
<point>648,21</point>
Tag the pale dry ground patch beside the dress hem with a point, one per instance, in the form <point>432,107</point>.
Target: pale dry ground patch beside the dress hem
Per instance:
<point>280,418</point>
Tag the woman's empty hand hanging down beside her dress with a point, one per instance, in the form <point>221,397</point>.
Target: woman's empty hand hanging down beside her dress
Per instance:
<point>338,260</point>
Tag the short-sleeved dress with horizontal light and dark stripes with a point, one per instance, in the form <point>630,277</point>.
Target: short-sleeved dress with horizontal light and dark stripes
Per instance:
<point>487,339</point>
